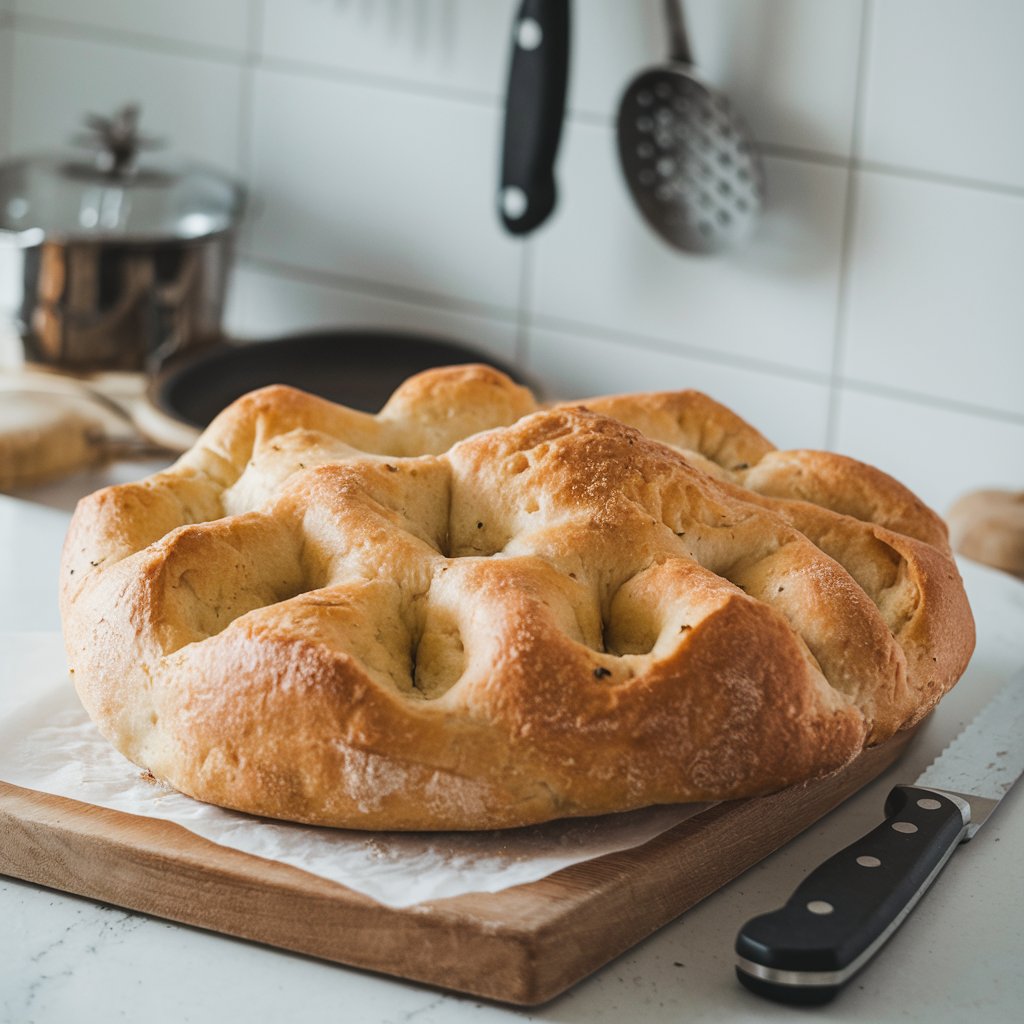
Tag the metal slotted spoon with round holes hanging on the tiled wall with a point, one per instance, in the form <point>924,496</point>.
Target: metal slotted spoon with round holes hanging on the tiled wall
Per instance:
<point>689,158</point>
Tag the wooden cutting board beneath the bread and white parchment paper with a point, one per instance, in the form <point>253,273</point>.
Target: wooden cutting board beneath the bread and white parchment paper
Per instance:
<point>524,946</point>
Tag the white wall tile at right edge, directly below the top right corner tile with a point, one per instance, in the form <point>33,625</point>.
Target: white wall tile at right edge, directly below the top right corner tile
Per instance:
<point>936,304</point>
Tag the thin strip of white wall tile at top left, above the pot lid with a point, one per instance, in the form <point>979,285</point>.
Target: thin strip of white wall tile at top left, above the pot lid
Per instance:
<point>222,23</point>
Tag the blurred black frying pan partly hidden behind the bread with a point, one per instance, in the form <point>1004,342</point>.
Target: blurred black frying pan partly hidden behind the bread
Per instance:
<point>357,367</point>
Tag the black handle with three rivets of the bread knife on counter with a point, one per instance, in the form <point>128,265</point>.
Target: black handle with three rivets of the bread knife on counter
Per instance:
<point>844,911</point>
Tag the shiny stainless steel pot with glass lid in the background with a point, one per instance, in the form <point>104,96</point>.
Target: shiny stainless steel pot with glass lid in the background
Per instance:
<point>116,265</point>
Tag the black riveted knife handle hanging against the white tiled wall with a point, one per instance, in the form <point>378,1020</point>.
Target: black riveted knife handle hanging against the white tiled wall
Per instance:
<point>535,108</point>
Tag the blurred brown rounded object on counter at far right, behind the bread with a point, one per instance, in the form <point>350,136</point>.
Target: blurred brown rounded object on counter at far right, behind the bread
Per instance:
<point>989,527</point>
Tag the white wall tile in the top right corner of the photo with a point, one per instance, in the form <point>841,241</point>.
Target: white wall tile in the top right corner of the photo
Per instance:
<point>946,88</point>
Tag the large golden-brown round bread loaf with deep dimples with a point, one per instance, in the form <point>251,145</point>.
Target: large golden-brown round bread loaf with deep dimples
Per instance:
<point>468,613</point>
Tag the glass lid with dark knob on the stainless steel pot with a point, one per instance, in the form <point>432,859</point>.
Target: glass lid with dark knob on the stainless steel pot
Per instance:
<point>110,194</point>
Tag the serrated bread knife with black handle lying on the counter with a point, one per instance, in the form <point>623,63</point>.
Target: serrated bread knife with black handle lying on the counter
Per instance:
<point>846,910</point>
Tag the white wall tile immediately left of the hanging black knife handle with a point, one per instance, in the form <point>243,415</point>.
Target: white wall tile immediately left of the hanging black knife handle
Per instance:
<point>380,186</point>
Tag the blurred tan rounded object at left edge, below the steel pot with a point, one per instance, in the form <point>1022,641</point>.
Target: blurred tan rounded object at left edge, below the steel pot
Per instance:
<point>45,437</point>
